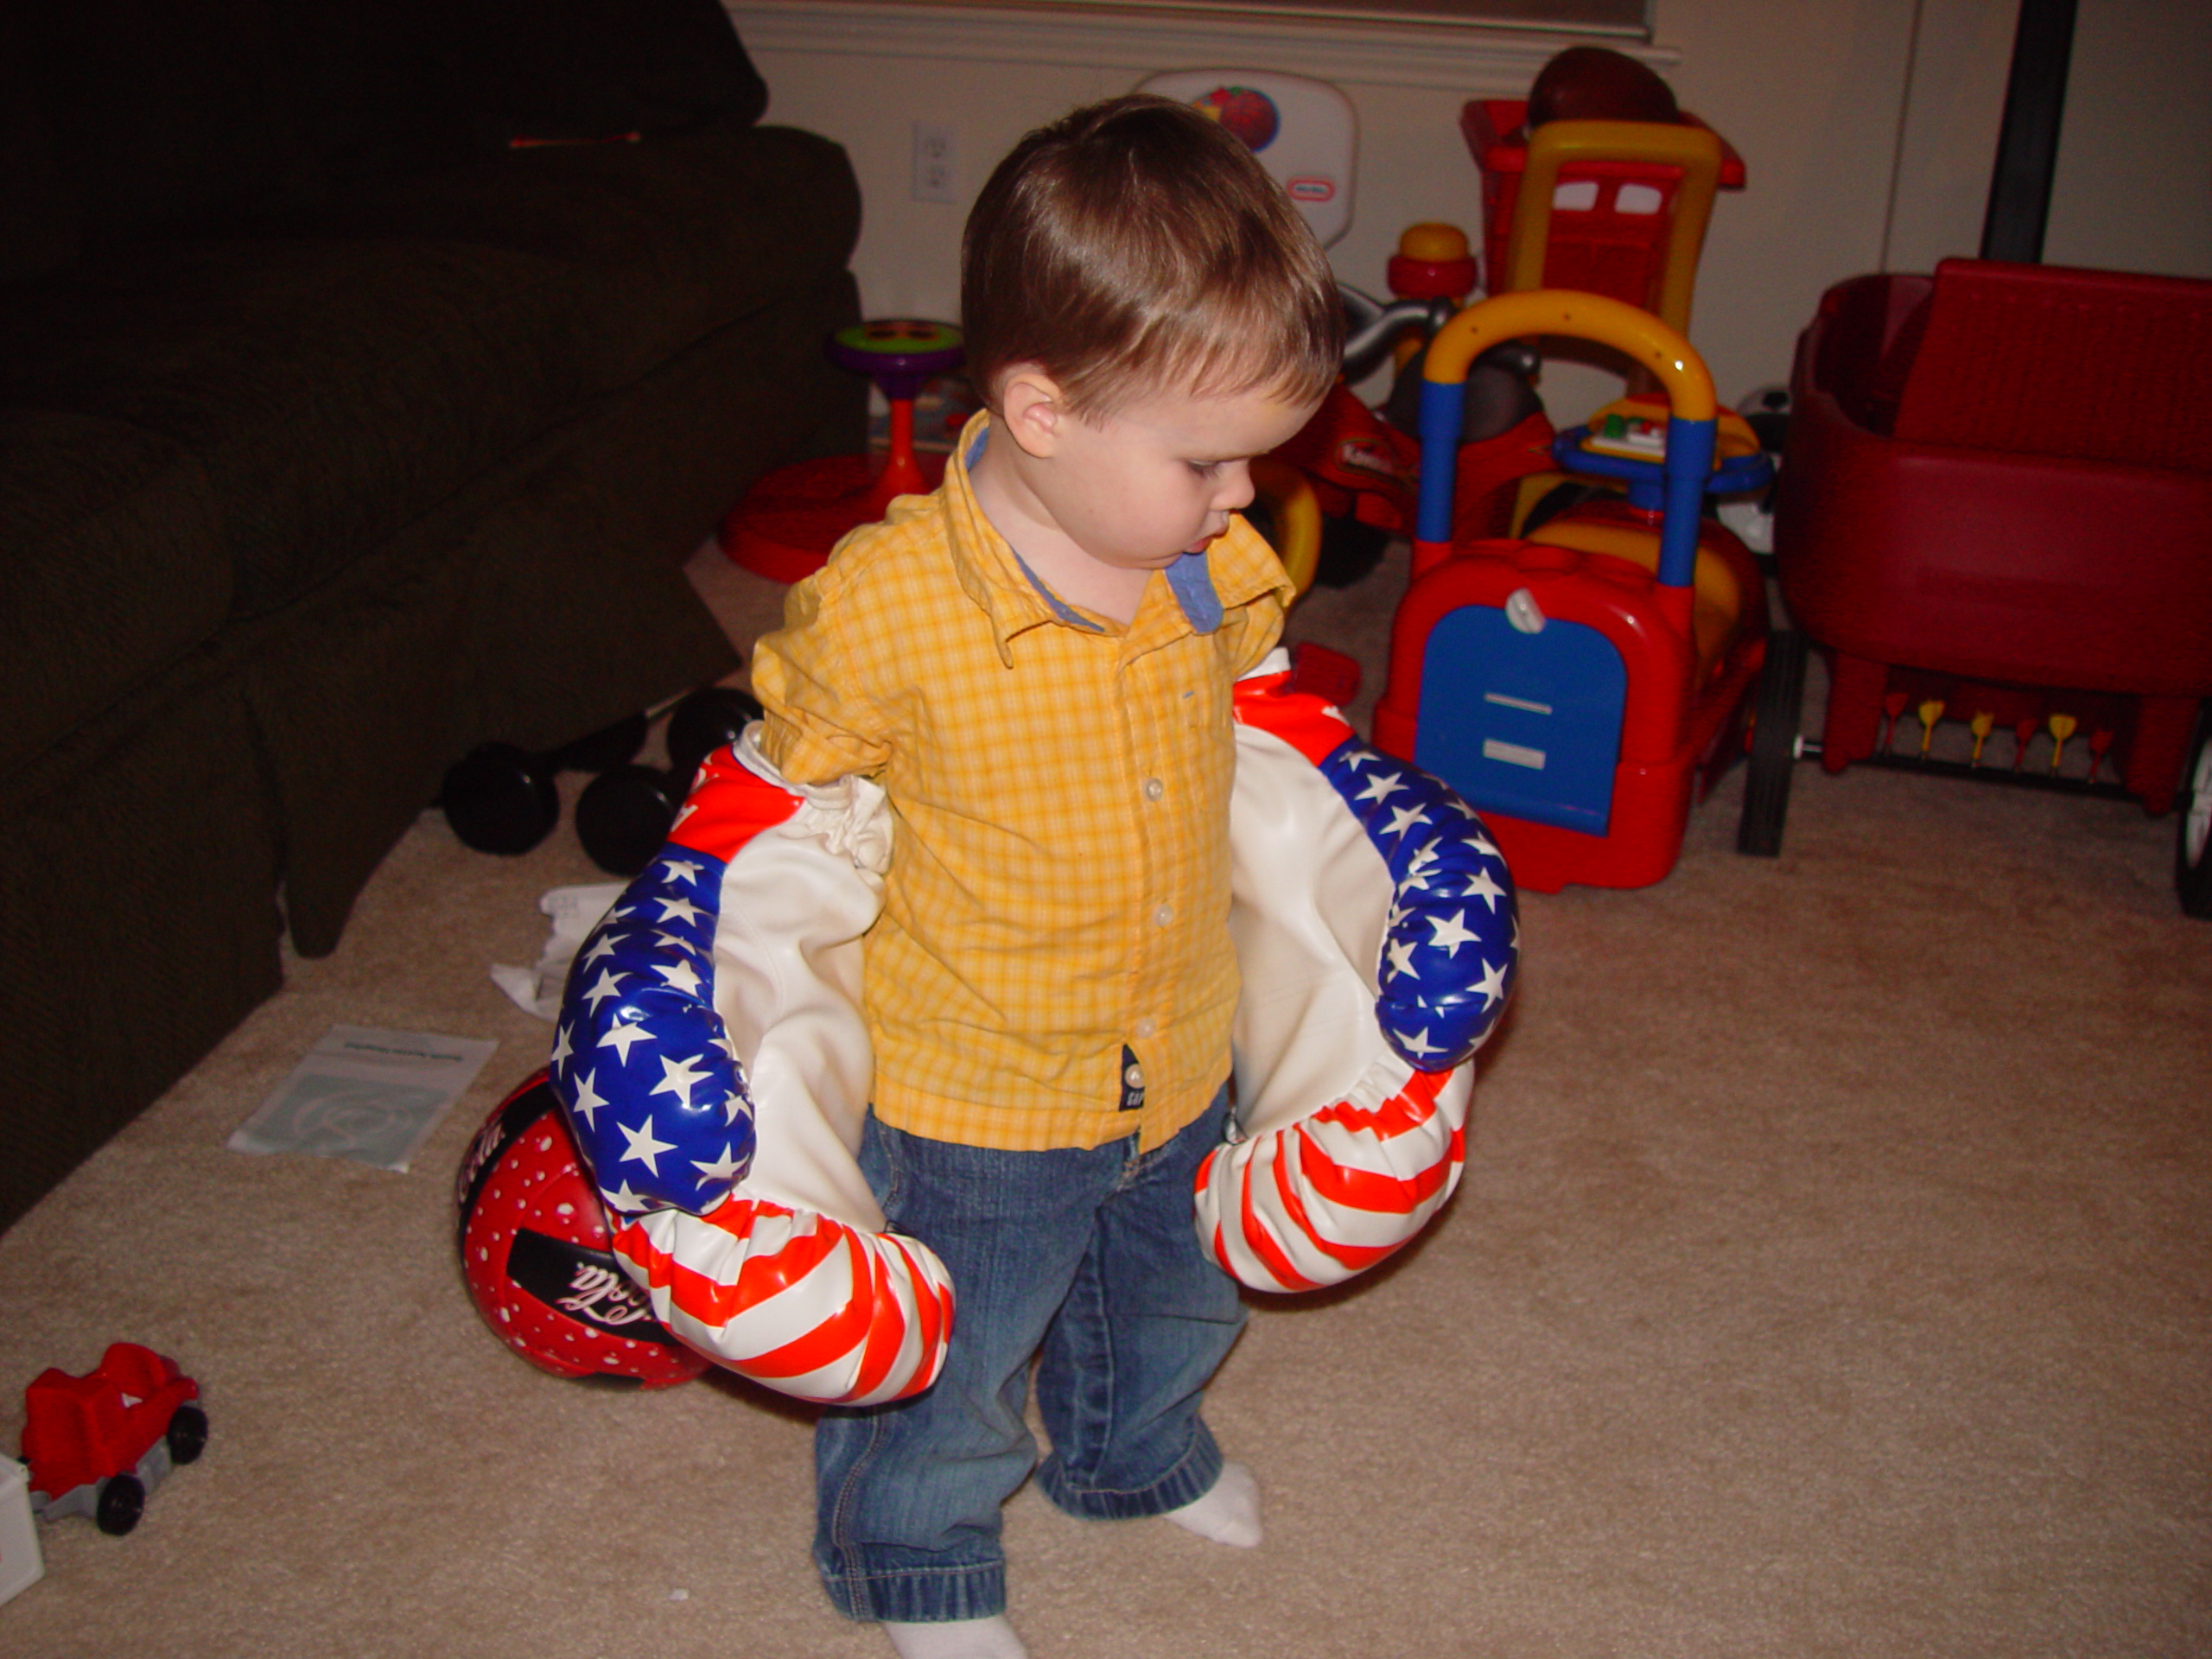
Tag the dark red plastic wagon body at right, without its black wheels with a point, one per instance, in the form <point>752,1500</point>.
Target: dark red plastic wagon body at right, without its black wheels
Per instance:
<point>1999,505</point>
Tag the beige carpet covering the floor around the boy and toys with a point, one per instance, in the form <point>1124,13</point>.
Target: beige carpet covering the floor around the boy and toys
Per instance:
<point>1833,1277</point>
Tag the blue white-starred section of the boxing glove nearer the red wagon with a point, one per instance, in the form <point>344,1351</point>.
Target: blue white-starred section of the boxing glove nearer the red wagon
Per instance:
<point>1452,946</point>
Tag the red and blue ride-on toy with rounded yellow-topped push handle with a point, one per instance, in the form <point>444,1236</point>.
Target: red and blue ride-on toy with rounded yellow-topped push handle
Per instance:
<point>1585,685</point>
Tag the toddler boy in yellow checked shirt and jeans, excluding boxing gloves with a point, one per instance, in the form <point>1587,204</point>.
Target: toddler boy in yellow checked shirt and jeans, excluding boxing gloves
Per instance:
<point>1036,665</point>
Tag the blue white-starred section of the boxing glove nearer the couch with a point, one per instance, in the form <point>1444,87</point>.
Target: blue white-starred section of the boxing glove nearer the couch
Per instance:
<point>643,1065</point>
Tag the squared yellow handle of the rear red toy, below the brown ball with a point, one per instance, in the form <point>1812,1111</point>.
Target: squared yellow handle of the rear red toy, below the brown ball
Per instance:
<point>1558,145</point>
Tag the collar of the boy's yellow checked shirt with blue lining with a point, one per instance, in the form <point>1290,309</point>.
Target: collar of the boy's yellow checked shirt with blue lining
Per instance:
<point>1235,570</point>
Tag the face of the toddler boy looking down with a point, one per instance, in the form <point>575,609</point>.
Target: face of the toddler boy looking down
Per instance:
<point>1158,479</point>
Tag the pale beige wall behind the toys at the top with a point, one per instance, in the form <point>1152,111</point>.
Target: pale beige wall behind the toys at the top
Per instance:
<point>1828,101</point>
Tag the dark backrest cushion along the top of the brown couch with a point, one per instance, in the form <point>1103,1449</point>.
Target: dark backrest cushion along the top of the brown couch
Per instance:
<point>187,116</point>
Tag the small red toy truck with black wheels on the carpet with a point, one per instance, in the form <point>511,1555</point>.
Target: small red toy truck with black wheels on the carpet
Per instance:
<point>98,1443</point>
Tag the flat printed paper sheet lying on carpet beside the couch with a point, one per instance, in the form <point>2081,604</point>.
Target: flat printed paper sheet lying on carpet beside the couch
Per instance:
<point>366,1094</point>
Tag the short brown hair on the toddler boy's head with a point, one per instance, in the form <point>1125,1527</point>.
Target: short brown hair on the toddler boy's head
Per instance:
<point>1138,247</point>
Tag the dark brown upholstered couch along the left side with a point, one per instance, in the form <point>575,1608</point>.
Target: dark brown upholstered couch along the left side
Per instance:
<point>366,377</point>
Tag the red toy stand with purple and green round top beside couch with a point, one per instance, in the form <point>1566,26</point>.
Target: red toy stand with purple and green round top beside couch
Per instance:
<point>793,517</point>
